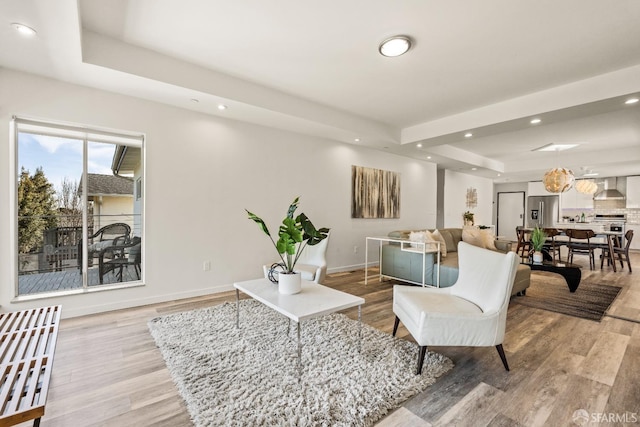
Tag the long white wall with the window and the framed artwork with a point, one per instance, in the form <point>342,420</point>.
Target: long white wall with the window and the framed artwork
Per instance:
<point>201,173</point>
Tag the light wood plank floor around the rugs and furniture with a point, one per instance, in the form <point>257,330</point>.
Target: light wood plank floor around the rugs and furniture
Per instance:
<point>108,371</point>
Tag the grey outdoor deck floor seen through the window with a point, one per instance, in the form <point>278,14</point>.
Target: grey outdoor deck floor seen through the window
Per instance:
<point>67,279</point>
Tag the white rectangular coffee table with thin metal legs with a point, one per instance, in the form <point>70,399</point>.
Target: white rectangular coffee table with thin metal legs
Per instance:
<point>314,301</point>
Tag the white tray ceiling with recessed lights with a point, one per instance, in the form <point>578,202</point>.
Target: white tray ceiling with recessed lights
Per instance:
<point>313,67</point>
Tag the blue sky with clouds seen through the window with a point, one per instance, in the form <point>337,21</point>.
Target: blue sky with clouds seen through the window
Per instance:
<point>62,157</point>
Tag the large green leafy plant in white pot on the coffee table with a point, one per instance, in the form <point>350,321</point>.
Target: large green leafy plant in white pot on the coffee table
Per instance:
<point>294,234</point>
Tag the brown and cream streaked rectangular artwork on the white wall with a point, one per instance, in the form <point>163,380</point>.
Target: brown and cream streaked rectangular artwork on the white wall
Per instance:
<point>375,193</point>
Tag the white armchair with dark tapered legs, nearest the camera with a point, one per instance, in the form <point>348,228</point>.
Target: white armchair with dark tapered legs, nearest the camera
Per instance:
<point>472,312</point>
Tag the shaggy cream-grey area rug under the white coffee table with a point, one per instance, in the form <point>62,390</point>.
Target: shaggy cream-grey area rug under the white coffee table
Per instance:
<point>249,376</point>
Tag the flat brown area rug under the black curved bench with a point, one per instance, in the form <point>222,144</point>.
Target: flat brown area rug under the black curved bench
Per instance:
<point>550,292</point>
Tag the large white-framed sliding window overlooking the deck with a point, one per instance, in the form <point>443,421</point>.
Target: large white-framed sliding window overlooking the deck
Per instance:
<point>79,207</point>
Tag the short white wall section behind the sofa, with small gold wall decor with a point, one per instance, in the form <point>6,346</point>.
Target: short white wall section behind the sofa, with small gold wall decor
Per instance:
<point>455,200</point>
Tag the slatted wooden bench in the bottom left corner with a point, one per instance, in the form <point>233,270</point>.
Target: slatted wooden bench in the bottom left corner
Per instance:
<point>27,344</point>
